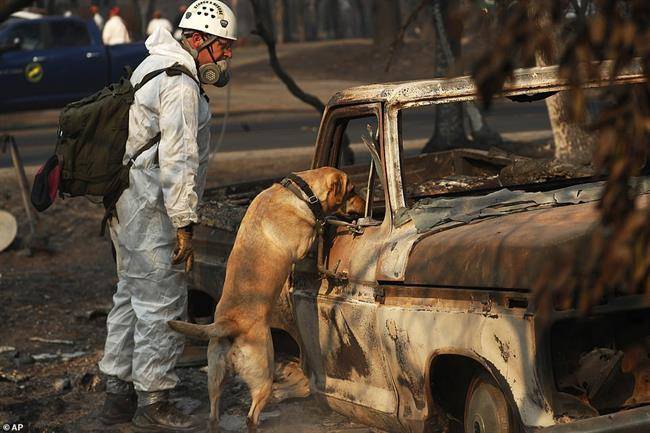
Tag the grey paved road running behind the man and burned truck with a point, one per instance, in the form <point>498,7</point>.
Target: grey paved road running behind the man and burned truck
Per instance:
<point>286,130</point>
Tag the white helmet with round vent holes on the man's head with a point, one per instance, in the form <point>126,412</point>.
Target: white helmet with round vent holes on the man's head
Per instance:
<point>212,17</point>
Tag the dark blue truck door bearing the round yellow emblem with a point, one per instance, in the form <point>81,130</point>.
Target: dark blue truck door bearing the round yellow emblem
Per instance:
<point>21,67</point>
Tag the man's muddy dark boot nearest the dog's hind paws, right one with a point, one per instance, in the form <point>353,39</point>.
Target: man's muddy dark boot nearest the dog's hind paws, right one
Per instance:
<point>157,414</point>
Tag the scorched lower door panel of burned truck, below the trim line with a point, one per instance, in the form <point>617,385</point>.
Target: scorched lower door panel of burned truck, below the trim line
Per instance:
<point>340,343</point>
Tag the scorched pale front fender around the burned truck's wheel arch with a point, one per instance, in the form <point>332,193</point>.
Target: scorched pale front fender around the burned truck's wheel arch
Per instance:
<point>500,339</point>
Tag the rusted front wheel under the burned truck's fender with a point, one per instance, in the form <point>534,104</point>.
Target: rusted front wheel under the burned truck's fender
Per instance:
<point>486,408</point>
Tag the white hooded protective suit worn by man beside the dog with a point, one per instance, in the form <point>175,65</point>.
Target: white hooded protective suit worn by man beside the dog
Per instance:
<point>162,196</point>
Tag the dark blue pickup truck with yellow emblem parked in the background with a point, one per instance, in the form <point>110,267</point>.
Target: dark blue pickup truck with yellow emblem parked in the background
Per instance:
<point>48,62</point>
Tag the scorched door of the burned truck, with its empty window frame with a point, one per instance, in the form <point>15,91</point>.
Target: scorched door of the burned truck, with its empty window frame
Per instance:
<point>343,348</point>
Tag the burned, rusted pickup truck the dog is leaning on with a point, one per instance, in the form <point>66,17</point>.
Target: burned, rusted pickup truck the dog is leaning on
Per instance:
<point>419,317</point>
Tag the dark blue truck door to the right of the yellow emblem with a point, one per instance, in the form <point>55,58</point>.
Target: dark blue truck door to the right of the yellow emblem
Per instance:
<point>76,63</point>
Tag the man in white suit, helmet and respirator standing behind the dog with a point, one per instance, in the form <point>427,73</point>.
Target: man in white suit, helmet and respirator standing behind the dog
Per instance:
<point>153,230</point>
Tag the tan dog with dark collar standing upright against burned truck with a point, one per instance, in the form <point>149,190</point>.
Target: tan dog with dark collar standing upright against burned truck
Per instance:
<point>277,231</point>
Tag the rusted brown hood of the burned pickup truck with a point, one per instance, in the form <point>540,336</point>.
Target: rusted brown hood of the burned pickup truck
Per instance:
<point>504,251</point>
